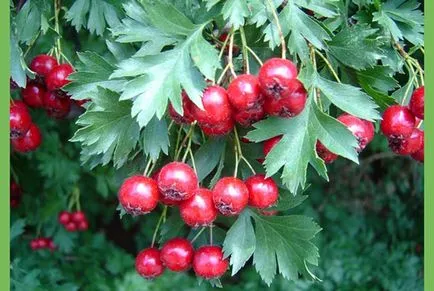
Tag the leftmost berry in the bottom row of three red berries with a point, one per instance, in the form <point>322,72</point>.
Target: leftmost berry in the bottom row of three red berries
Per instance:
<point>148,263</point>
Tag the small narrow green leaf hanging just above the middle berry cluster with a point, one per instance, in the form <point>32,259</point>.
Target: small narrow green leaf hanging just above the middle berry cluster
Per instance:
<point>156,138</point>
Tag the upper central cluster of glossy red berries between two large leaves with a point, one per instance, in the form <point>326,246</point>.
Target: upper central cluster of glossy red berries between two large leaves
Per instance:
<point>276,92</point>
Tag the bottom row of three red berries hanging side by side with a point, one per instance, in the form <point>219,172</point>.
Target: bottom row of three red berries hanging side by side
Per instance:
<point>178,255</point>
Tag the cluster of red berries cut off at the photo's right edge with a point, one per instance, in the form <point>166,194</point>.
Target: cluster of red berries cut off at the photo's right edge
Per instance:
<point>400,124</point>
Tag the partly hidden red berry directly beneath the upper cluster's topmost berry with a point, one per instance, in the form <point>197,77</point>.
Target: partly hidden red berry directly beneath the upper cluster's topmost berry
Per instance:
<point>291,102</point>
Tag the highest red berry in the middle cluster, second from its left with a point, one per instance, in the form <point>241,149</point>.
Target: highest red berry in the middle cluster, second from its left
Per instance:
<point>177,181</point>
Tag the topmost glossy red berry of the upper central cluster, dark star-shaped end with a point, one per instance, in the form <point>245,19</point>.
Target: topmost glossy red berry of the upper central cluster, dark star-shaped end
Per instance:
<point>276,76</point>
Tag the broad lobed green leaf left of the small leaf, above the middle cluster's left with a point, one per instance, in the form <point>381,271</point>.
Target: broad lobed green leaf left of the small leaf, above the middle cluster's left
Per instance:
<point>107,129</point>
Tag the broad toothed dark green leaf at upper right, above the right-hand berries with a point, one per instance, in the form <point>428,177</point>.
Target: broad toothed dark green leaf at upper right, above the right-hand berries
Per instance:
<point>357,46</point>
